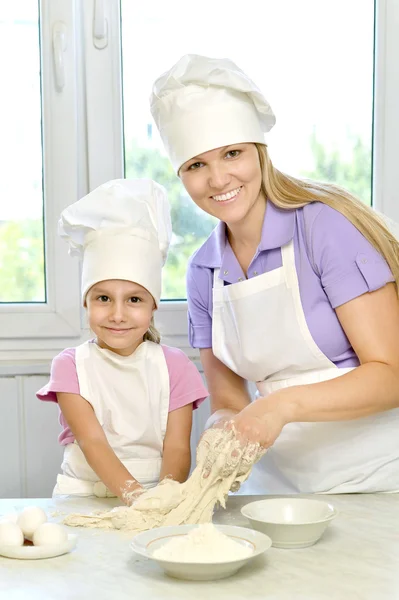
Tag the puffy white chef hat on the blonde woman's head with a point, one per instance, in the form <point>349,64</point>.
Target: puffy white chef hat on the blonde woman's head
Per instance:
<point>205,103</point>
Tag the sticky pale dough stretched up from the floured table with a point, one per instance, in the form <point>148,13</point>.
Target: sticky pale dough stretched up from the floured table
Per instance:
<point>222,464</point>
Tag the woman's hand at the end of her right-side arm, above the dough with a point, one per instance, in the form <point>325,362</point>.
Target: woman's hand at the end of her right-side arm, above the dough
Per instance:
<point>261,421</point>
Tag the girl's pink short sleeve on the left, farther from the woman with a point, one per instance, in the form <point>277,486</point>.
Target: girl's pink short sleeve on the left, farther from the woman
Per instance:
<point>63,377</point>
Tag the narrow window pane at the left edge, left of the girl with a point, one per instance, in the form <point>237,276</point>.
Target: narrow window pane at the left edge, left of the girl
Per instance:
<point>22,276</point>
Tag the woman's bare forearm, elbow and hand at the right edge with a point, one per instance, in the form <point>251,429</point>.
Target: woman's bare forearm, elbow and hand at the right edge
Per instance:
<point>371,323</point>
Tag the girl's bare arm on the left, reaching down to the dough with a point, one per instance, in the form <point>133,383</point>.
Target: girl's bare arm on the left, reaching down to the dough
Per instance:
<point>91,438</point>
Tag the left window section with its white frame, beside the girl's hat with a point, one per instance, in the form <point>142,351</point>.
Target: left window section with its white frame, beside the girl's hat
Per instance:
<point>39,287</point>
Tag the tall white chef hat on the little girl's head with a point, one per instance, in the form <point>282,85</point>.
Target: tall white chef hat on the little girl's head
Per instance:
<point>121,230</point>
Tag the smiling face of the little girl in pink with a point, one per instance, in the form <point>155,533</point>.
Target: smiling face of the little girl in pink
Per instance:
<point>119,314</point>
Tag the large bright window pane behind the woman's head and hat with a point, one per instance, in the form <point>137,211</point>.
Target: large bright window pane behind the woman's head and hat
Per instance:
<point>314,62</point>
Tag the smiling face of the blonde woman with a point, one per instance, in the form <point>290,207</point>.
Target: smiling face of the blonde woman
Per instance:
<point>225,182</point>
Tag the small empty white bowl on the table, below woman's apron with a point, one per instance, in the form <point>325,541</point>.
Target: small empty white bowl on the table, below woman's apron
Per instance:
<point>290,522</point>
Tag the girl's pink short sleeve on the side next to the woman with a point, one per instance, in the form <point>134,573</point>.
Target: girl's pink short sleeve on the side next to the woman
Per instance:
<point>186,386</point>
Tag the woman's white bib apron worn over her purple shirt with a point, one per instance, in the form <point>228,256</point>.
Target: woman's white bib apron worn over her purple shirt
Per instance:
<point>260,332</point>
